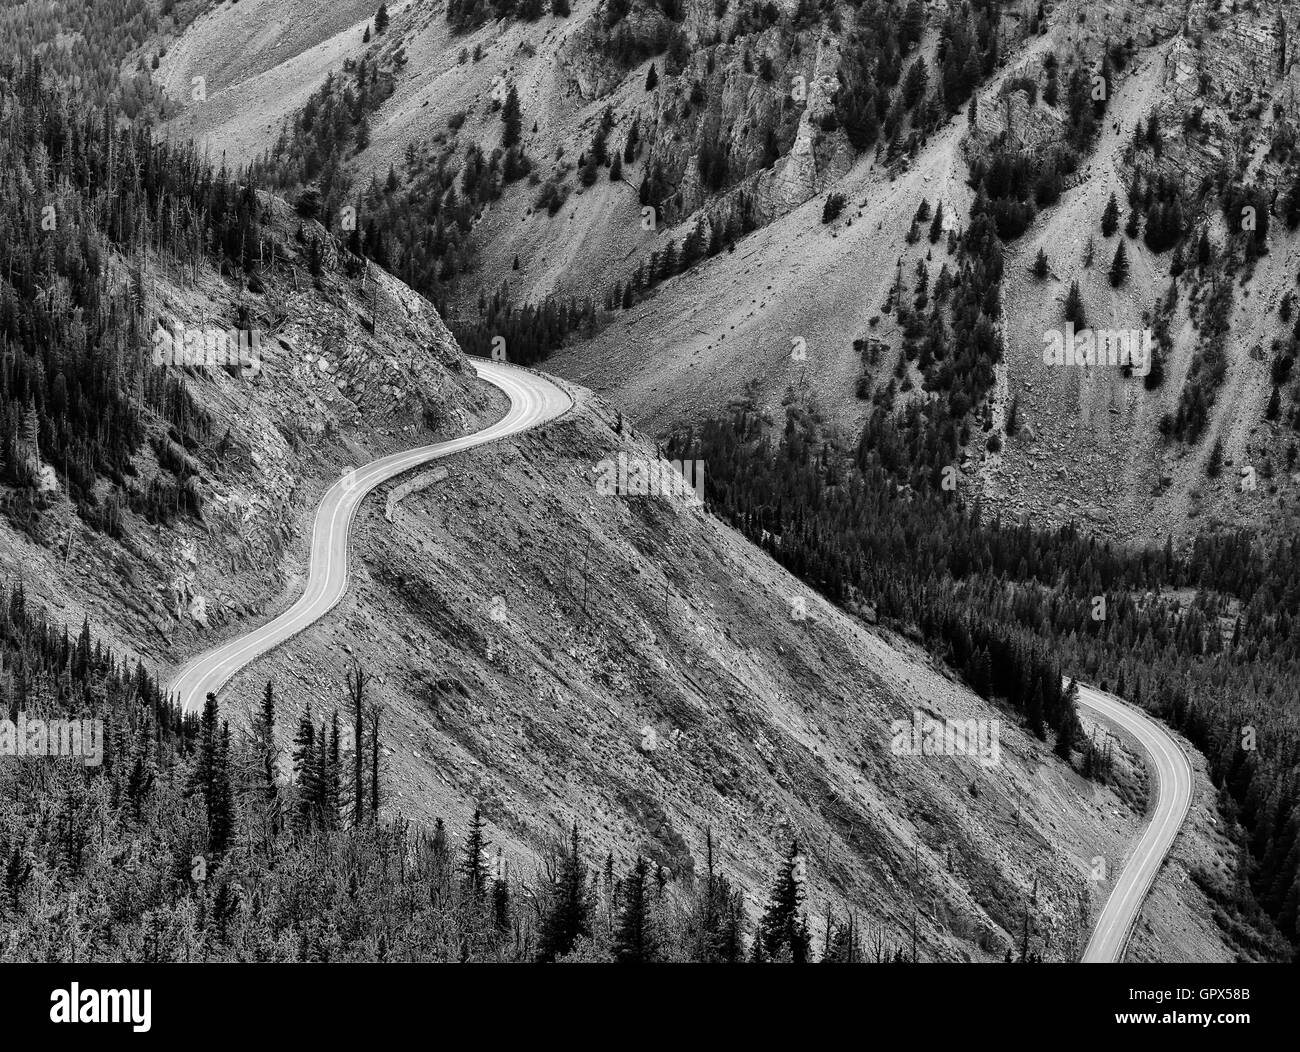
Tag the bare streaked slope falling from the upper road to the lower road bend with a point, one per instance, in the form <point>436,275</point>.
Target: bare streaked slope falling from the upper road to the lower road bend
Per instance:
<point>554,656</point>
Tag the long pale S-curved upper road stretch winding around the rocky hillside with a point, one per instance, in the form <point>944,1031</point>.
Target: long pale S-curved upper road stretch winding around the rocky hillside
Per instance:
<point>534,401</point>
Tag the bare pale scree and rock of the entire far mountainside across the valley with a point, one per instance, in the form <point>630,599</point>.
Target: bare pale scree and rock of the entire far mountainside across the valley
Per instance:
<point>1217,79</point>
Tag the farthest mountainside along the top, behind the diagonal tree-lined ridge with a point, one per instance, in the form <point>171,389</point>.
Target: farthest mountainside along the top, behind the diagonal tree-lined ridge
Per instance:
<point>720,118</point>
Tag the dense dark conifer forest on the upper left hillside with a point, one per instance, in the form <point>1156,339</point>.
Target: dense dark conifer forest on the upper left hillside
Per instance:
<point>77,393</point>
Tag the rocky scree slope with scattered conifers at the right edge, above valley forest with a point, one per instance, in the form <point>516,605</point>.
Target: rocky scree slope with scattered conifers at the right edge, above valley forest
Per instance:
<point>1221,96</point>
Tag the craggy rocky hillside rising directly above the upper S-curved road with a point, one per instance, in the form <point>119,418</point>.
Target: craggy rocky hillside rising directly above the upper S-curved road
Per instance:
<point>206,525</point>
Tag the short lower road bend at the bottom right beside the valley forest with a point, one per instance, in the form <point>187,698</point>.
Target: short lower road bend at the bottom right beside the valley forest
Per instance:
<point>1175,796</point>
